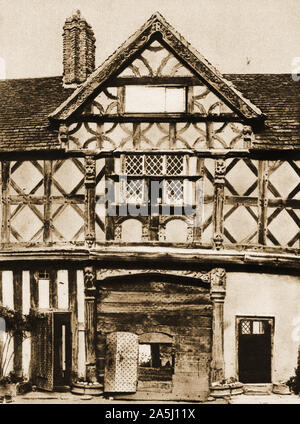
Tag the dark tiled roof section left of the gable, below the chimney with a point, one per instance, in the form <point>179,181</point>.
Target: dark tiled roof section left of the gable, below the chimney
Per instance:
<point>24,108</point>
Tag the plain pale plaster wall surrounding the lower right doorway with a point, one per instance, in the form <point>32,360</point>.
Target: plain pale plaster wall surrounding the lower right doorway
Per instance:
<point>264,295</point>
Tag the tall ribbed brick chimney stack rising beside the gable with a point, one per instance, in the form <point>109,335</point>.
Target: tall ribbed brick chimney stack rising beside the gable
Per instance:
<point>78,50</point>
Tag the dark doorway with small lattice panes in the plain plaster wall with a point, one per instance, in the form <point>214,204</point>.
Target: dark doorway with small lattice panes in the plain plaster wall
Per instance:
<point>254,350</point>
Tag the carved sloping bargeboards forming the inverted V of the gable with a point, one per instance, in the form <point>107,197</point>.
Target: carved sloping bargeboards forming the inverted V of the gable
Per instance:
<point>189,56</point>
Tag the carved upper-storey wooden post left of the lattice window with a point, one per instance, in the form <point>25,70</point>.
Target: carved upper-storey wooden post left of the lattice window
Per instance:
<point>90,201</point>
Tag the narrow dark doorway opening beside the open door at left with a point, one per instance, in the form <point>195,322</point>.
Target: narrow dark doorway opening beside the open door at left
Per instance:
<point>62,350</point>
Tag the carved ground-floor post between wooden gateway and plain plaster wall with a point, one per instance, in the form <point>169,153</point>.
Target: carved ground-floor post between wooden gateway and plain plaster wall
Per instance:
<point>217,295</point>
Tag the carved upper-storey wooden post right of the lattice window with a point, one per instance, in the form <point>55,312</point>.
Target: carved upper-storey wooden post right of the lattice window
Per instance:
<point>220,168</point>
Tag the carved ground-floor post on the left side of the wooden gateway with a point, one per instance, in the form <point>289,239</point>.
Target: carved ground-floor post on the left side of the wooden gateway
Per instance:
<point>90,323</point>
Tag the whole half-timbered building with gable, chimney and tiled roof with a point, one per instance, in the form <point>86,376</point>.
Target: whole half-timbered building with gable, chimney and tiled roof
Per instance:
<point>150,210</point>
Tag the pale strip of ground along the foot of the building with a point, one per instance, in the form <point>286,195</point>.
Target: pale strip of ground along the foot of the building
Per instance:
<point>68,398</point>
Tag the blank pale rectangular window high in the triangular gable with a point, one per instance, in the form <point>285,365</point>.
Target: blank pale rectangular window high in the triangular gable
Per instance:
<point>154,99</point>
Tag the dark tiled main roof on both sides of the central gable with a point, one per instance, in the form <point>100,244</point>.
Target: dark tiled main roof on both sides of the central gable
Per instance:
<point>26,104</point>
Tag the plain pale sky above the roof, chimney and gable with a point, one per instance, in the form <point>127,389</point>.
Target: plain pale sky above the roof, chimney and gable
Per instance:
<point>237,36</point>
